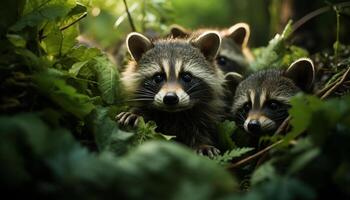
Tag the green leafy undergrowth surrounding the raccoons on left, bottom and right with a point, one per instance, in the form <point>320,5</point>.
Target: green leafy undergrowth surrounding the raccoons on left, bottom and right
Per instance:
<point>59,138</point>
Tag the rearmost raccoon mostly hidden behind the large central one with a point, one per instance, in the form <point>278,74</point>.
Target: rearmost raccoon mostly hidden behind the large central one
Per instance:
<point>234,54</point>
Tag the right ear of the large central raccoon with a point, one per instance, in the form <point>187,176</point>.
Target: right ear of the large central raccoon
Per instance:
<point>208,43</point>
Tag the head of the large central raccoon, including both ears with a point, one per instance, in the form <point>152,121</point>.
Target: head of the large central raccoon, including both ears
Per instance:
<point>175,75</point>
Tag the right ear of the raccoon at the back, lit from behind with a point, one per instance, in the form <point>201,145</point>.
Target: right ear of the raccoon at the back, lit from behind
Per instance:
<point>239,33</point>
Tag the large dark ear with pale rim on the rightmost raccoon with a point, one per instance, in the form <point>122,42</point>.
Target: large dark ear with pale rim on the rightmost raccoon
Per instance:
<point>302,72</point>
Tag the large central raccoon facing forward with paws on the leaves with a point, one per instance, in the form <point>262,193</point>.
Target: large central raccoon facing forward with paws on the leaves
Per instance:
<point>175,83</point>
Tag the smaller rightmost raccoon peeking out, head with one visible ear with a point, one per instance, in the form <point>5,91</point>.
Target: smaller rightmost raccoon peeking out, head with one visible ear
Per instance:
<point>262,100</point>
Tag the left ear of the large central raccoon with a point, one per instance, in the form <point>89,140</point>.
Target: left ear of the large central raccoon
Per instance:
<point>137,45</point>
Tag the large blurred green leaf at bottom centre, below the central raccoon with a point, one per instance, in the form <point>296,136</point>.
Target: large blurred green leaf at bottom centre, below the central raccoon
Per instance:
<point>166,170</point>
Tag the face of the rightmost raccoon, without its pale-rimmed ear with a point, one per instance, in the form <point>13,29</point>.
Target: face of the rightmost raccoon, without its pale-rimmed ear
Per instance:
<point>262,101</point>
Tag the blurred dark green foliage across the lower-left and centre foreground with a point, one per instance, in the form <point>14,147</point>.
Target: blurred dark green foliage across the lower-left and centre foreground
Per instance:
<point>48,162</point>
